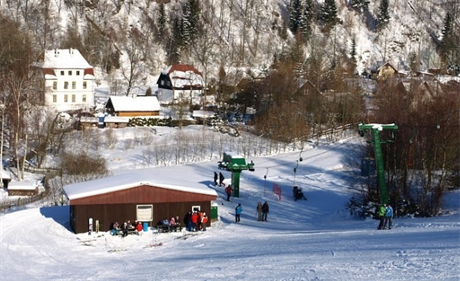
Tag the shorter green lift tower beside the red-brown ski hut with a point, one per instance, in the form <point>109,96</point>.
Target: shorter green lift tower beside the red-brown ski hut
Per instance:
<point>235,164</point>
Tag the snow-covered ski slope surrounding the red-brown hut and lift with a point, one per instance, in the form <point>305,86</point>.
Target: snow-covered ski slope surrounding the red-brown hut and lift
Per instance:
<point>314,239</point>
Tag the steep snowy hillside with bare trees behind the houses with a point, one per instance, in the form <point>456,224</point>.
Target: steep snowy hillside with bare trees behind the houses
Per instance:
<point>247,35</point>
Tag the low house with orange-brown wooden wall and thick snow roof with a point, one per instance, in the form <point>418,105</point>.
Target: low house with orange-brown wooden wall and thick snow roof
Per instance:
<point>133,106</point>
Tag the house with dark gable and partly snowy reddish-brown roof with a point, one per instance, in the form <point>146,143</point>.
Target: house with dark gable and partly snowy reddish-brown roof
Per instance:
<point>180,82</point>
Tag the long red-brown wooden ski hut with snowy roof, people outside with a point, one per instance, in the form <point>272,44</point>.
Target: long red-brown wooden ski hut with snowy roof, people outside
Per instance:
<point>147,195</point>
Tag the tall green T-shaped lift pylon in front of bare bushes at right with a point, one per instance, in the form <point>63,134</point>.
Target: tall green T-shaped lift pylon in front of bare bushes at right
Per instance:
<point>376,128</point>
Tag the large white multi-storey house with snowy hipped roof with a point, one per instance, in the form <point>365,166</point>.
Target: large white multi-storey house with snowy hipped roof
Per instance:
<point>68,79</point>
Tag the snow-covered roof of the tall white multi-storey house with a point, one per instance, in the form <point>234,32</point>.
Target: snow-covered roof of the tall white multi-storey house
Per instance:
<point>65,59</point>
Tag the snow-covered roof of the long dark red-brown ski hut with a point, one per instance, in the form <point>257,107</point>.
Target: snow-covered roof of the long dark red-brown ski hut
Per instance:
<point>133,179</point>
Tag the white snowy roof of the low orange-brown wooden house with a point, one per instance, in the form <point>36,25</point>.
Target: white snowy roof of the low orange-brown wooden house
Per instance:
<point>136,103</point>
